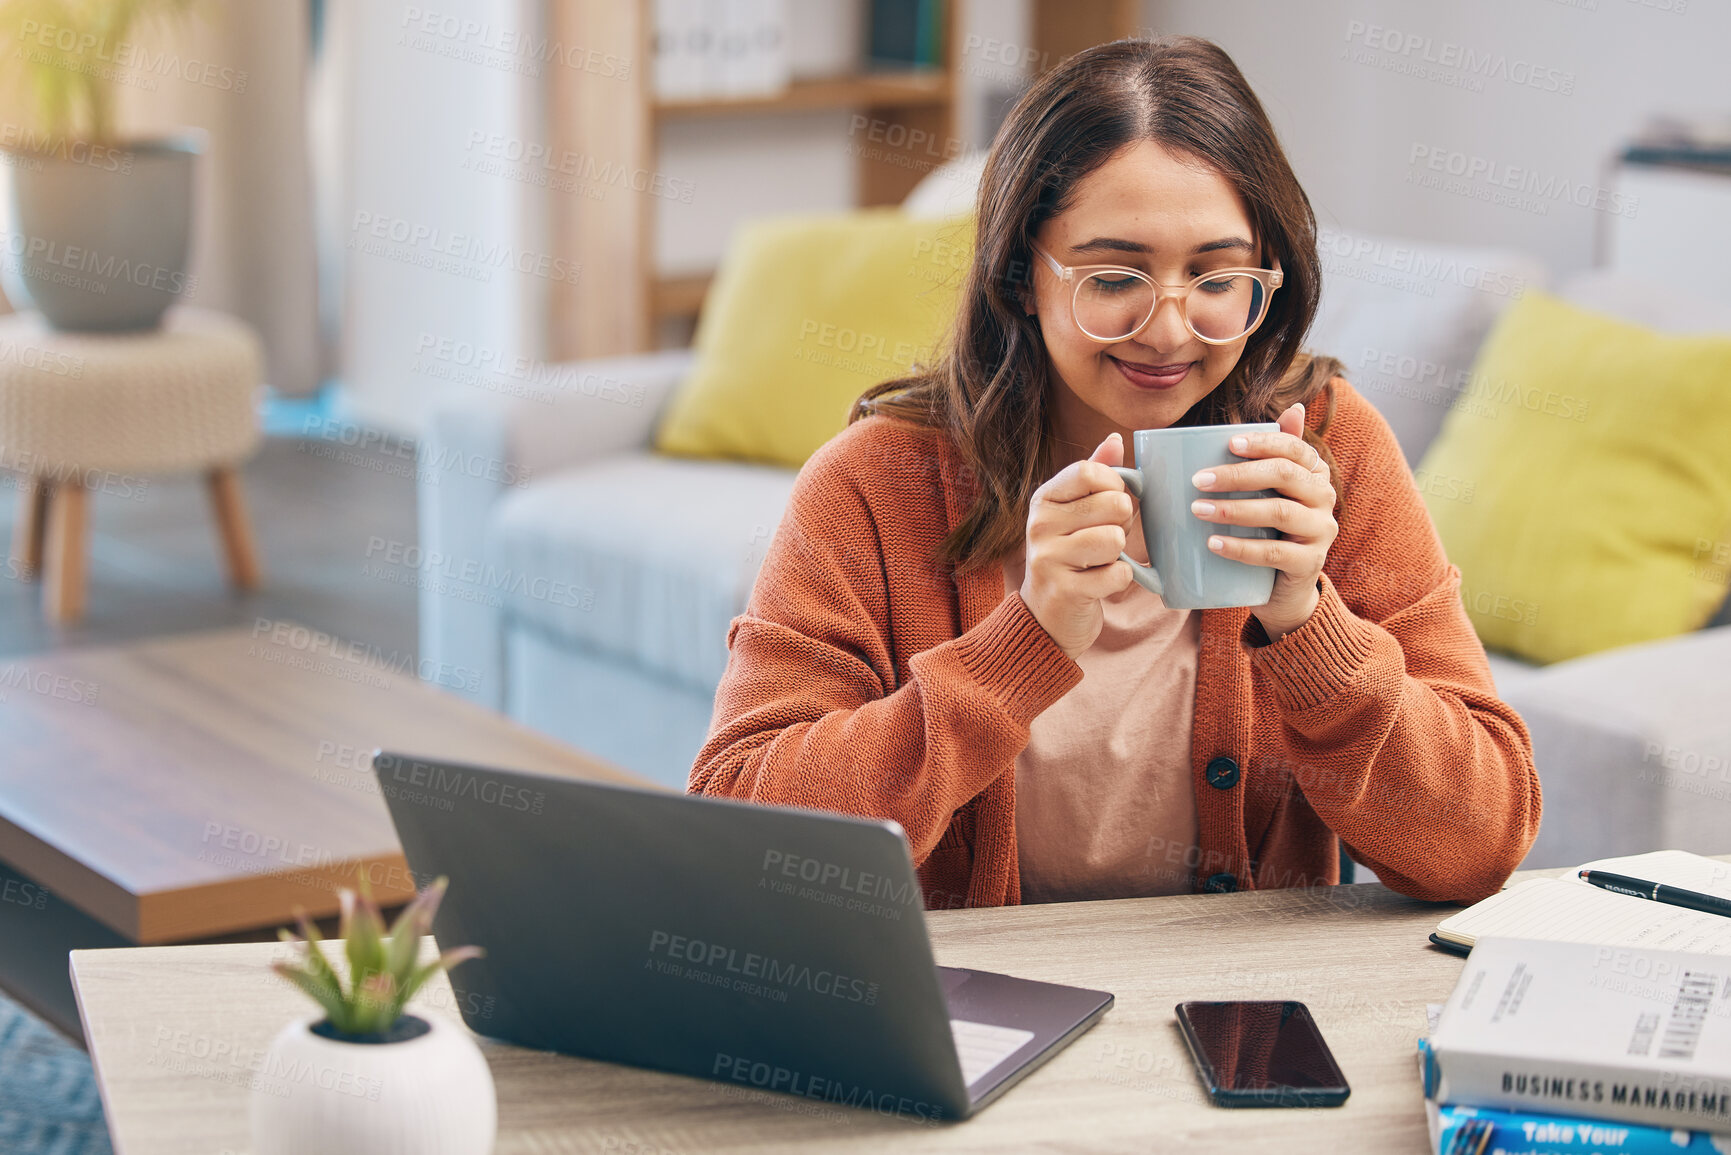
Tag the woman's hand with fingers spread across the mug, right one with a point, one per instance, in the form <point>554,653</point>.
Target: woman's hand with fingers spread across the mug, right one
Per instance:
<point>1304,515</point>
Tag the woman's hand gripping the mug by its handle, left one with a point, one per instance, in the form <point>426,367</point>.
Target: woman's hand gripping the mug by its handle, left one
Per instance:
<point>1076,534</point>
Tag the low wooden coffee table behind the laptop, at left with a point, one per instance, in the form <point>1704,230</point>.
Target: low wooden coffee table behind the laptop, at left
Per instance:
<point>202,787</point>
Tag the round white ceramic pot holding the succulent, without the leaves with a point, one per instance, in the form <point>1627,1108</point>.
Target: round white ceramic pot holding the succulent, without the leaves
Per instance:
<point>430,1095</point>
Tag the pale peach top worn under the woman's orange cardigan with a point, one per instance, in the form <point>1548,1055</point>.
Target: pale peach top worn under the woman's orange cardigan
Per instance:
<point>1105,808</point>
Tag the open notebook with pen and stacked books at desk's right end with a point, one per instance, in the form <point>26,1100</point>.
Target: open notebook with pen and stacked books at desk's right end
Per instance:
<point>1592,1033</point>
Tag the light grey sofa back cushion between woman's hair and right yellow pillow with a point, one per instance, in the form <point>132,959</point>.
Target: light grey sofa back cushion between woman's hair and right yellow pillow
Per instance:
<point>1408,319</point>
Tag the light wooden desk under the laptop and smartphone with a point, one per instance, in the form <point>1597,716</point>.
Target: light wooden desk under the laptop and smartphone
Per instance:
<point>1356,955</point>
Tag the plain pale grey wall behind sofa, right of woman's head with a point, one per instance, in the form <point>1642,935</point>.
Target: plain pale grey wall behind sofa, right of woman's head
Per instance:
<point>1355,115</point>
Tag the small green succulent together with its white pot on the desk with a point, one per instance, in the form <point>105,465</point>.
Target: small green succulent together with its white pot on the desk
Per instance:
<point>363,1076</point>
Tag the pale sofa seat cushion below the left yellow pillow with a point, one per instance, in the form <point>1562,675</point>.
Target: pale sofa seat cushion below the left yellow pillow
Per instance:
<point>643,558</point>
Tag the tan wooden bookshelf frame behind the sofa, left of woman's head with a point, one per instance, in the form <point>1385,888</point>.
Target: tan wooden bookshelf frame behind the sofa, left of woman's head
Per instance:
<point>619,302</point>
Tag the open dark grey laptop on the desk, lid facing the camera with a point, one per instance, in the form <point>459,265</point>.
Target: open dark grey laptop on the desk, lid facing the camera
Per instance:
<point>764,948</point>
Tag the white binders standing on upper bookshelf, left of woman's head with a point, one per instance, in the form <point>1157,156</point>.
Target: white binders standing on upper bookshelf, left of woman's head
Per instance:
<point>721,49</point>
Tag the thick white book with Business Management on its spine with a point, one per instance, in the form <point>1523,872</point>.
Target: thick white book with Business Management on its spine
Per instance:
<point>1595,1031</point>
